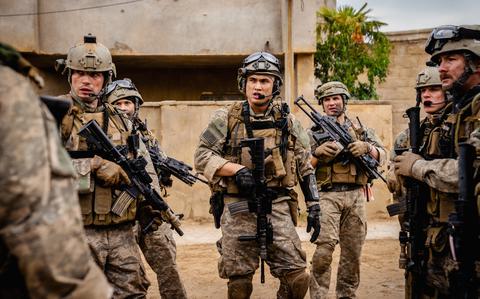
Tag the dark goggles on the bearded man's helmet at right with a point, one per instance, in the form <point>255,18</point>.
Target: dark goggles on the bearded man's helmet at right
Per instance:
<point>441,35</point>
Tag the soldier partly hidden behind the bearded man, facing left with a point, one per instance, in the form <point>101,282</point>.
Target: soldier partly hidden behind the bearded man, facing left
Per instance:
<point>430,94</point>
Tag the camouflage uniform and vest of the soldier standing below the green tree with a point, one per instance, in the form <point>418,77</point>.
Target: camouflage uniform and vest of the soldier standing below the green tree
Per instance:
<point>344,221</point>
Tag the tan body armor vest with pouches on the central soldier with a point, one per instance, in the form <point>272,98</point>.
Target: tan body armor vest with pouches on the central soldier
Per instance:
<point>275,127</point>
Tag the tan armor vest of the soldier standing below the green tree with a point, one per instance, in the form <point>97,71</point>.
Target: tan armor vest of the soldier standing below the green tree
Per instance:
<point>340,171</point>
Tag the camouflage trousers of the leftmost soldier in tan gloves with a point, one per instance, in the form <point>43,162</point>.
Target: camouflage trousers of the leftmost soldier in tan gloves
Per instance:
<point>115,250</point>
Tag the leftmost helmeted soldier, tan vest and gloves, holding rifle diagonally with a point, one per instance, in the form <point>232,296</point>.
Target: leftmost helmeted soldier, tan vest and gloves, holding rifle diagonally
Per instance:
<point>108,212</point>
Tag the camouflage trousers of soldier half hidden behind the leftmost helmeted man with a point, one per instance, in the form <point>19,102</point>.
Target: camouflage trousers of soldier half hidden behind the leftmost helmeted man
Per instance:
<point>160,251</point>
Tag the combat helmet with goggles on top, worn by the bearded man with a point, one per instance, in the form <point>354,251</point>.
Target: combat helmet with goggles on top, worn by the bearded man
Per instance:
<point>450,38</point>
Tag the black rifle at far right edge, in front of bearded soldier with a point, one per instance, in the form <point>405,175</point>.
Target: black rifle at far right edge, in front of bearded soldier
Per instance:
<point>464,227</point>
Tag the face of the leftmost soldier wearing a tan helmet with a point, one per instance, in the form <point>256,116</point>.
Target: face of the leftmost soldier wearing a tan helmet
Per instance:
<point>87,84</point>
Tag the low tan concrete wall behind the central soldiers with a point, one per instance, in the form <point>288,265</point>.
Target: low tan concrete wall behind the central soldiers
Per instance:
<point>178,126</point>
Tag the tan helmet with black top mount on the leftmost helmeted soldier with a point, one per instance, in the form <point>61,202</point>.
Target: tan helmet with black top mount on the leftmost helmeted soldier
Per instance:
<point>88,56</point>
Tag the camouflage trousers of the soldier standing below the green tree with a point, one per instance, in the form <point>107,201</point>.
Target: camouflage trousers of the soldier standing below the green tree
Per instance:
<point>343,221</point>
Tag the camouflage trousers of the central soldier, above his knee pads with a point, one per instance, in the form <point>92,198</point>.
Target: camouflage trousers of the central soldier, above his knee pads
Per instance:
<point>239,258</point>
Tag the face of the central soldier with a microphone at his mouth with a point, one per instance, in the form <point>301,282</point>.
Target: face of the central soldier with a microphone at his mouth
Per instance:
<point>258,91</point>
